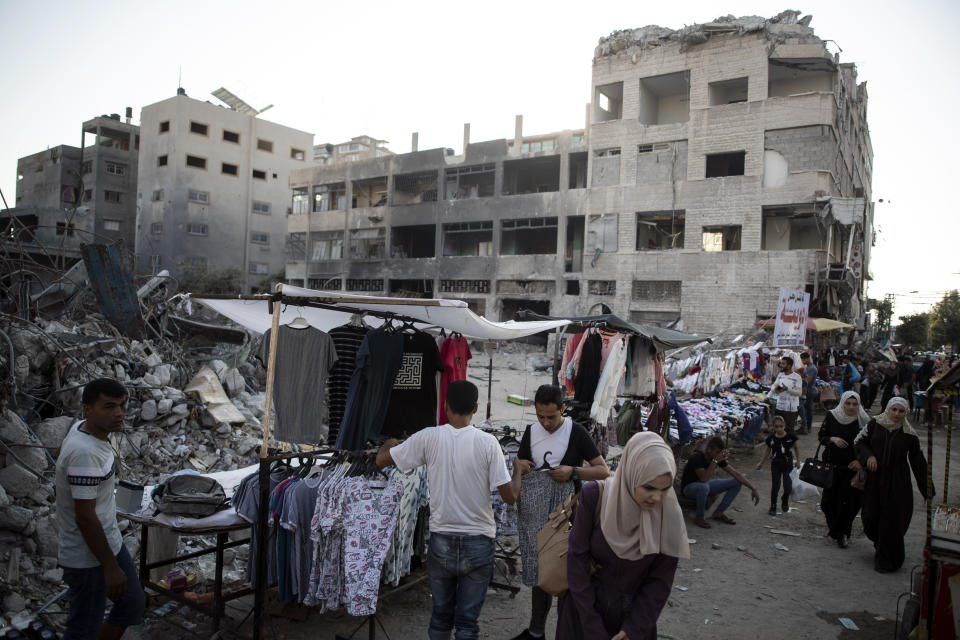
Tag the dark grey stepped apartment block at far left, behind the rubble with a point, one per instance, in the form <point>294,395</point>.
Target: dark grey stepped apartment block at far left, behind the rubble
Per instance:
<point>70,195</point>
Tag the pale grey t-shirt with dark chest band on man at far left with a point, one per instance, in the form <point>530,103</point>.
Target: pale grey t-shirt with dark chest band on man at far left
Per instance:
<point>85,471</point>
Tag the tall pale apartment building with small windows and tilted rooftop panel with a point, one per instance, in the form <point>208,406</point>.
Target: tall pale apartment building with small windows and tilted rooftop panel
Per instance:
<point>213,190</point>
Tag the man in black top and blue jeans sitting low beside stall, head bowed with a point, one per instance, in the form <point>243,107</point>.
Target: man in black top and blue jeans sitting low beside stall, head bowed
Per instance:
<point>697,482</point>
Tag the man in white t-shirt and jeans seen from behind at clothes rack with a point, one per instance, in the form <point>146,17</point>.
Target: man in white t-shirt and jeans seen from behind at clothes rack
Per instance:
<point>464,465</point>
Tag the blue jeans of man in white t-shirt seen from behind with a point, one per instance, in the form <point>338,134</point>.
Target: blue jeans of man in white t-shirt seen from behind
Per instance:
<point>459,569</point>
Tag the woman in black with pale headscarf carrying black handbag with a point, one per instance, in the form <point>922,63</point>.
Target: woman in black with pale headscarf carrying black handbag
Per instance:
<point>841,502</point>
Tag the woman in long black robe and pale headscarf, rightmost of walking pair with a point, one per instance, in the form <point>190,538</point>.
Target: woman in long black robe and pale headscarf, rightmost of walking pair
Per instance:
<point>885,447</point>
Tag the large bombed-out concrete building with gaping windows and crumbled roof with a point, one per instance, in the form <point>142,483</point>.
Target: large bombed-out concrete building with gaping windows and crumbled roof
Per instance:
<point>718,163</point>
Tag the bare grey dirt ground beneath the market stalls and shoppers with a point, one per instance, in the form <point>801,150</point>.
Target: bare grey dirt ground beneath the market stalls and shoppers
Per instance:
<point>735,586</point>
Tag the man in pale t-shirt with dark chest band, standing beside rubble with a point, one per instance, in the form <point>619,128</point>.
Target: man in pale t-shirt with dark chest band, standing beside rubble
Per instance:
<point>96,564</point>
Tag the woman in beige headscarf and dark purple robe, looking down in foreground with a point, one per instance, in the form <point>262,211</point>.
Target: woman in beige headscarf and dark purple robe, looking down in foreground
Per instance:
<point>620,571</point>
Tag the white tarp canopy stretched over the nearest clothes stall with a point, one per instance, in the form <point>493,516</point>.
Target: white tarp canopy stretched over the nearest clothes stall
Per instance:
<point>452,315</point>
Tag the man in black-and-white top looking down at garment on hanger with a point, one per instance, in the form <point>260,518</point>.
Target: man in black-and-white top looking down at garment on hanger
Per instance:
<point>550,459</point>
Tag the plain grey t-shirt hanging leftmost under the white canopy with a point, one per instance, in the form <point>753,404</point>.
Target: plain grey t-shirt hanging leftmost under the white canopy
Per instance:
<point>303,362</point>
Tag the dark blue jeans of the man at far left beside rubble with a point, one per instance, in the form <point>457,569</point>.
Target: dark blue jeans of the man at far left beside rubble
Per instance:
<point>88,600</point>
